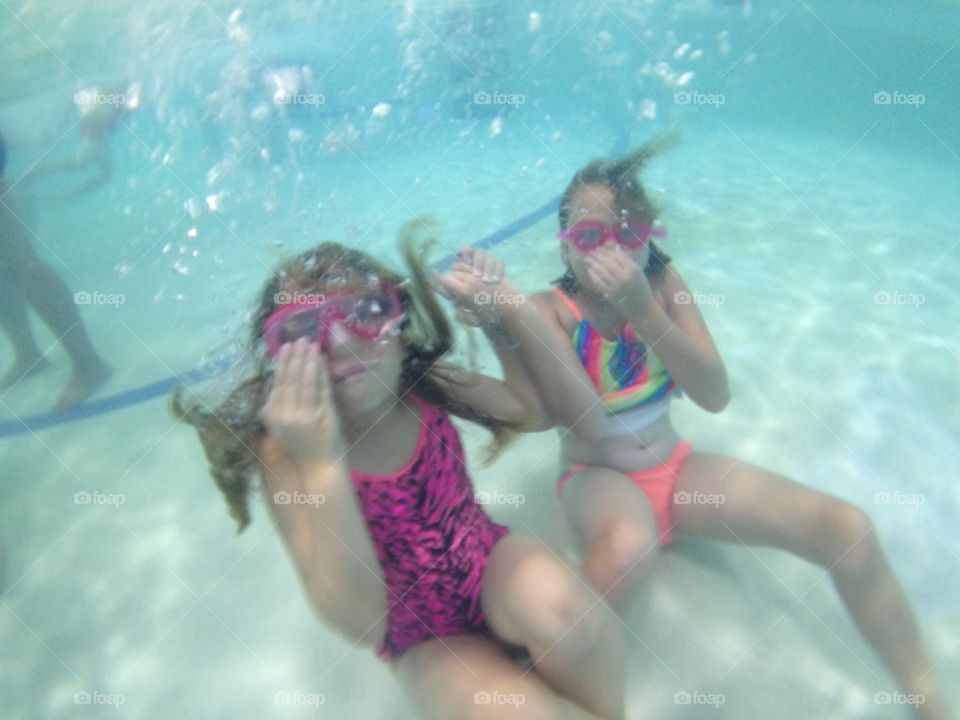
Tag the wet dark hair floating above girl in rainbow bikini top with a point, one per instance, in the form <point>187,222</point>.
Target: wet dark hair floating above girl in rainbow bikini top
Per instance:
<point>622,175</point>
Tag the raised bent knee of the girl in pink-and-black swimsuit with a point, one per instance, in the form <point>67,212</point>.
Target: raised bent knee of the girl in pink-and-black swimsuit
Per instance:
<point>532,598</point>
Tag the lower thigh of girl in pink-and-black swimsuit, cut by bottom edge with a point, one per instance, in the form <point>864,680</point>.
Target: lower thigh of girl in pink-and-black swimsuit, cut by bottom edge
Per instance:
<point>467,677</point>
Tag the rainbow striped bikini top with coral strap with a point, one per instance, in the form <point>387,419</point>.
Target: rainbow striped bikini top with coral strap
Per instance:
<point>624,372</point>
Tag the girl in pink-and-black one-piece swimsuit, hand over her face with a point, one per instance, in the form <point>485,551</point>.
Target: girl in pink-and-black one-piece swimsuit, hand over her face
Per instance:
<point>347,424</point>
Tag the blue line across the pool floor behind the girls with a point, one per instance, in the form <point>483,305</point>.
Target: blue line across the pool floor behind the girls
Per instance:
<point>128,398</point>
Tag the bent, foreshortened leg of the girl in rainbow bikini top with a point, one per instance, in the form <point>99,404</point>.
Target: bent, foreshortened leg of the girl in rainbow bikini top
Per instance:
<point>615,530</point>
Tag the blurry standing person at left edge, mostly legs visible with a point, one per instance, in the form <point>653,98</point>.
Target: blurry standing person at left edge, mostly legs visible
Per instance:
<point>26,280</point>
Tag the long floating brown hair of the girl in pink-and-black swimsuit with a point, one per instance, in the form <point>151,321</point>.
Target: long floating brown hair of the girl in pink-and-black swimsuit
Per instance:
<point>231,433</point>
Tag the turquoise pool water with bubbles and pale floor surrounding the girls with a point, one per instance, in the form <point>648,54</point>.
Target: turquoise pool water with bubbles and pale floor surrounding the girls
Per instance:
<point>808,205</point>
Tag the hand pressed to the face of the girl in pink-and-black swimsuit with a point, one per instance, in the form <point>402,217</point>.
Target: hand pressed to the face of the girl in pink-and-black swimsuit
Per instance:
<point>299,411</point>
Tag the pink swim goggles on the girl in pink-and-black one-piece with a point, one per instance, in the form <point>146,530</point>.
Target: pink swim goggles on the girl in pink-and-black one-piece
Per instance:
<point>370,312</point>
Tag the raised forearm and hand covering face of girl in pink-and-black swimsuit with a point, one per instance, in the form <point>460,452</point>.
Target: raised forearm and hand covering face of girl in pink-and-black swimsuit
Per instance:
<point>310,495</point>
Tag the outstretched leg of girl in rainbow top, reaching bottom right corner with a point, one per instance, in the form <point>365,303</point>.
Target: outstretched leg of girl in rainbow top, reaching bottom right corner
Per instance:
<point>761,508</point>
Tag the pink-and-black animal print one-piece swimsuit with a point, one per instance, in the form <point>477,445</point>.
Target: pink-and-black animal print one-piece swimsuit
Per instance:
<point>431,536</point>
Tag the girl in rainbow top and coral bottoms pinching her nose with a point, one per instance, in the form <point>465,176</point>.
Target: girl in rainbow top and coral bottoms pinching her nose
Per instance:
<point>630,339</point>
